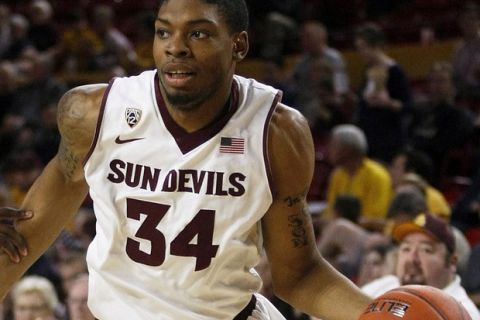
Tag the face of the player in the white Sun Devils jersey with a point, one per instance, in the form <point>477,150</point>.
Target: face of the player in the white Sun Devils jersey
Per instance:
<point>194,53</point>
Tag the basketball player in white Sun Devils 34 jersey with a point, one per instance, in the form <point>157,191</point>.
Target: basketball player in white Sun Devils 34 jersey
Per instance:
<point>191,169</point>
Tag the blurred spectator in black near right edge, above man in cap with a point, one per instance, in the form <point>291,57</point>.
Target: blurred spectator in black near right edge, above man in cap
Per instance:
<point>439,126</point>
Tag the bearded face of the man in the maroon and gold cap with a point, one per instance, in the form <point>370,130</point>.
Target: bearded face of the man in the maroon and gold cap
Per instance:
<point>422,260</point>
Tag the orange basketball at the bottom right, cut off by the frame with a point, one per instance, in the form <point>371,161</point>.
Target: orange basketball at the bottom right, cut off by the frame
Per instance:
<point>415,302</point>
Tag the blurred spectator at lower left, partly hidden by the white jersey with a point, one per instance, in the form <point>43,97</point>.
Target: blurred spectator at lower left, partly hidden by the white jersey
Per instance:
<point>77,299</point>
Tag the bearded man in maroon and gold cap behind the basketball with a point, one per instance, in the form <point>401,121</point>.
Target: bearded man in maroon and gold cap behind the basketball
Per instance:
<point>426,256</point>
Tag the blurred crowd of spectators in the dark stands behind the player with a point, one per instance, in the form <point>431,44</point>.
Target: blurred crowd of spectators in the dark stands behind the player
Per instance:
<point>386,151</point>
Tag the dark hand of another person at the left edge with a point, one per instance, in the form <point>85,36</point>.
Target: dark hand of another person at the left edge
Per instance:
<point>11,241</point>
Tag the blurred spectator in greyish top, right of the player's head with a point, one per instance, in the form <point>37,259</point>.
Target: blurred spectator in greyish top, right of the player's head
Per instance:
<point>319,80</point>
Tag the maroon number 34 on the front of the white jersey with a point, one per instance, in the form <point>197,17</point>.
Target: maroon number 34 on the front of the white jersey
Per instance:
<point>200,226</point>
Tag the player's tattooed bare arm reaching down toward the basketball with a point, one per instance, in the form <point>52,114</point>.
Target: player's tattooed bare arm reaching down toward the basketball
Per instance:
<point>300,275</point>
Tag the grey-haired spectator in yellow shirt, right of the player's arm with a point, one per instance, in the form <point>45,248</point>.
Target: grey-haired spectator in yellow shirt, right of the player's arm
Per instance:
<point>354,173</point>
